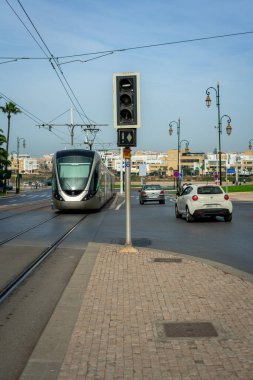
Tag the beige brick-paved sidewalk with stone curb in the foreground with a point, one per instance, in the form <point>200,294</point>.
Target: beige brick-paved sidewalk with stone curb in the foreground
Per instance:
<point>123,316</point>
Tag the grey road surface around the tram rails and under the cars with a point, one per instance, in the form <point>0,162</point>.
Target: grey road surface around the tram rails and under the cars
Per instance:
<point>24,316</point>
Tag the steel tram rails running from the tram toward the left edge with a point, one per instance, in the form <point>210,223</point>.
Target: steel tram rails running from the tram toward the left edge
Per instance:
<point>11,286</point>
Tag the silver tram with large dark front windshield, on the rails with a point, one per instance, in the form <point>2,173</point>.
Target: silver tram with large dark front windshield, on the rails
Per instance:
<point>80,180</point>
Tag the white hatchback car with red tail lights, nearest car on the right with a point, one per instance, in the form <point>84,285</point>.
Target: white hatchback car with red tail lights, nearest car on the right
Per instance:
<point>203,200</point>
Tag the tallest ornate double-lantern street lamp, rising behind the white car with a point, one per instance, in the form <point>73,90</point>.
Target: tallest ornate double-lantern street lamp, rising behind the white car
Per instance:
<point>228,128</point>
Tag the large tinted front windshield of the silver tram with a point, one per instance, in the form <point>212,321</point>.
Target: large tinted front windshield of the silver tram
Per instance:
<point>74,172</point>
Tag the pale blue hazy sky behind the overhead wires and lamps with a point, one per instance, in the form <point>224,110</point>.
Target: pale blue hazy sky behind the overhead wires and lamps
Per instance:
<point>174,77</point>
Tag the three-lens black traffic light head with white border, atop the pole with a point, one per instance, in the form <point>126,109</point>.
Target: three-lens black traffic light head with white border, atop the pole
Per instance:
<point>126,100</point>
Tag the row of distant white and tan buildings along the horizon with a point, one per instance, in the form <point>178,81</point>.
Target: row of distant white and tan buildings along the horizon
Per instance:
<point>155,163</point>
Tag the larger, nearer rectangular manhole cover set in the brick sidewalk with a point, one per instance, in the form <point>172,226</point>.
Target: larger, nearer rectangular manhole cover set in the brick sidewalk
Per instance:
<point>189,330</point>
